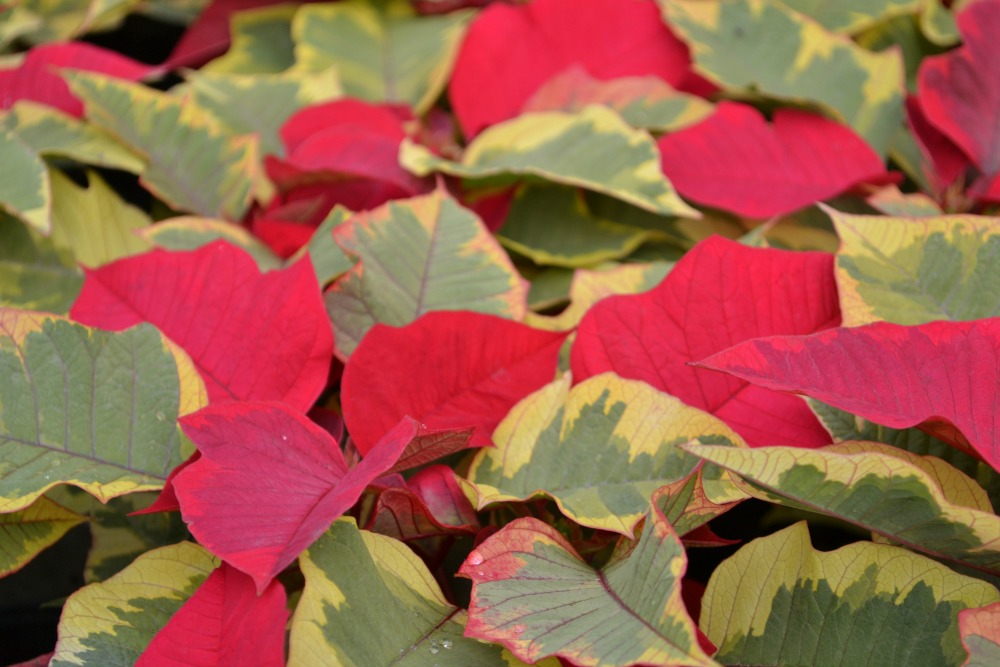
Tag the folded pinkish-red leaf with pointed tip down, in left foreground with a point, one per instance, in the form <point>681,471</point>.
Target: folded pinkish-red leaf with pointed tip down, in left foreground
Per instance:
<point>270,481</point>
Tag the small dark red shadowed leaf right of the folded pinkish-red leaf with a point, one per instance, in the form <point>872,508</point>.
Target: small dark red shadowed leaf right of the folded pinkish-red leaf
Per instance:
<point>429,503</point>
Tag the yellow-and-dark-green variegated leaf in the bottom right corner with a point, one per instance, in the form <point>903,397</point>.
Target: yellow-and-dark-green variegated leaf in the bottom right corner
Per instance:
<point>863,604</point>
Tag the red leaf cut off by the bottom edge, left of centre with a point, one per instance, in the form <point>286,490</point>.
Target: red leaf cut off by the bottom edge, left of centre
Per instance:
<point>223,623</point>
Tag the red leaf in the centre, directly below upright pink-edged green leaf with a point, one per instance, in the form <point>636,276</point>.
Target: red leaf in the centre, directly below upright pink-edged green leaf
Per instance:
<point>448,370</point>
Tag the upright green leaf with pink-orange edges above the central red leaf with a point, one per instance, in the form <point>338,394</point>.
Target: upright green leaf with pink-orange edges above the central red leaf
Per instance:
<point>423,254</point>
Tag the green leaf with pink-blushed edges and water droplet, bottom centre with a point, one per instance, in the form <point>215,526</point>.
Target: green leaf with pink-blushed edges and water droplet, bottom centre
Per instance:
<point>532,593</point>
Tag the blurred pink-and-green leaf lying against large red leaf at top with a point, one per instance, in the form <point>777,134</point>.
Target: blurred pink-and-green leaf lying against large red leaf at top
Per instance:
<point>642,101</point>
